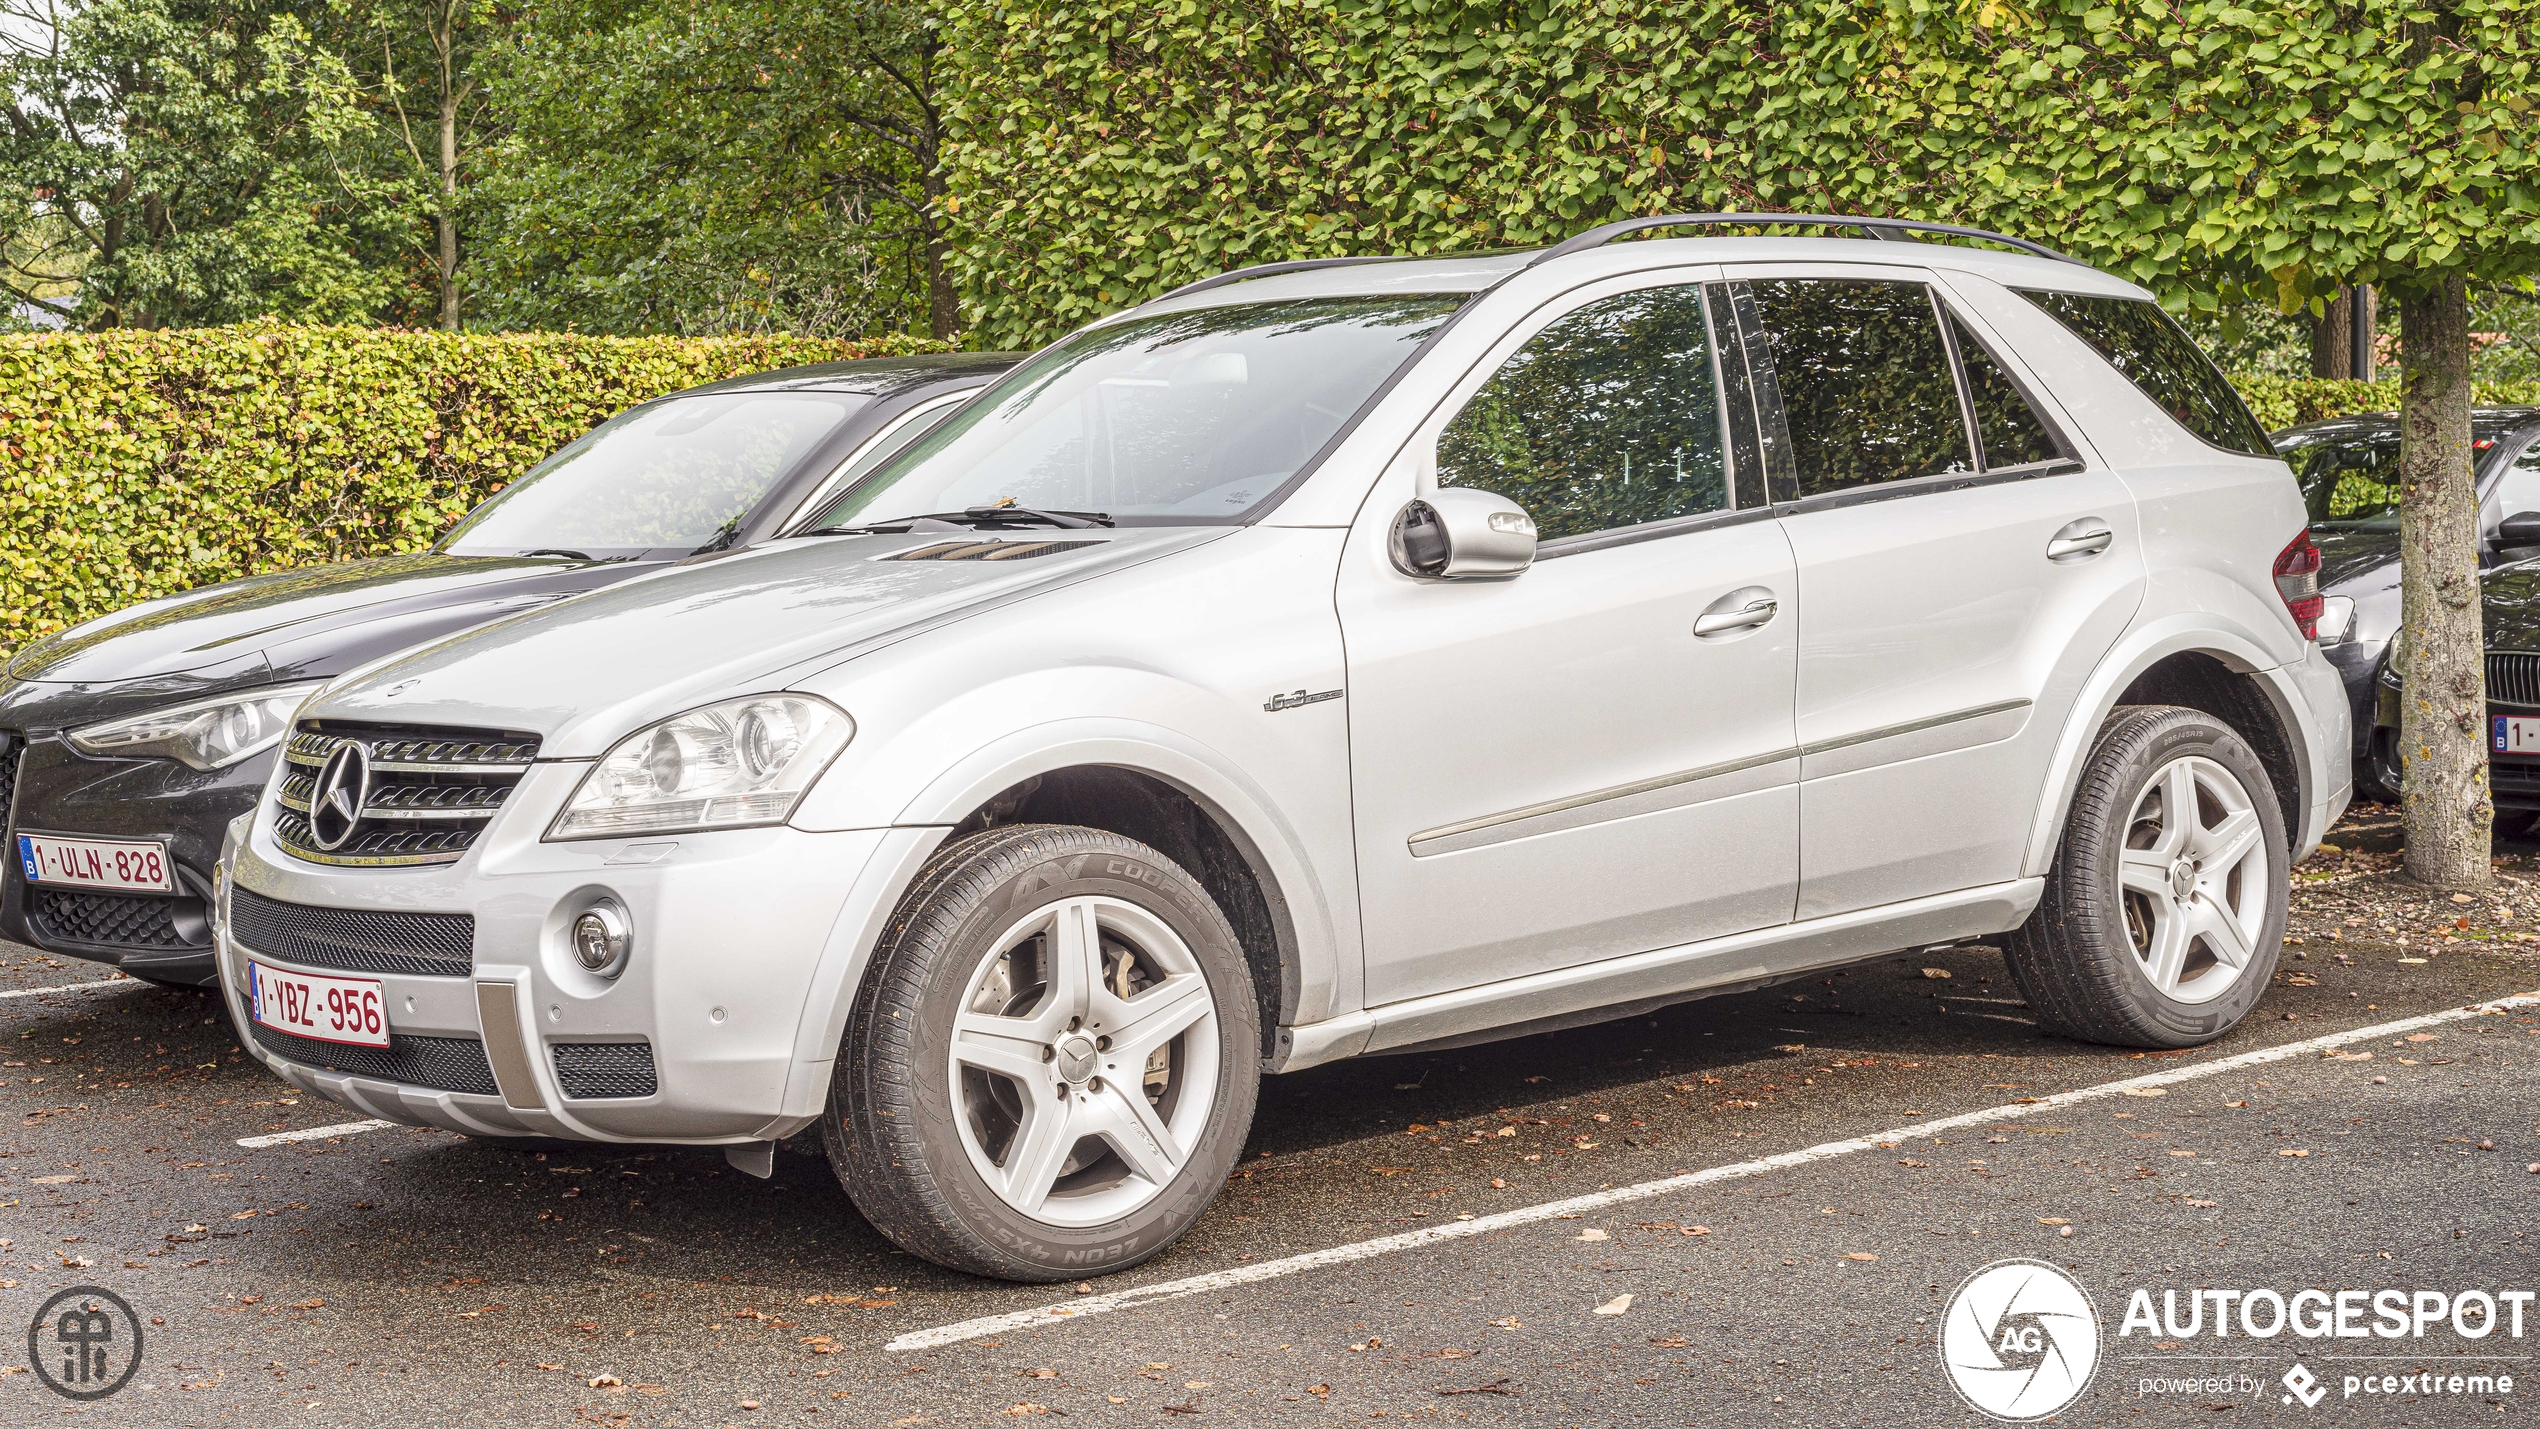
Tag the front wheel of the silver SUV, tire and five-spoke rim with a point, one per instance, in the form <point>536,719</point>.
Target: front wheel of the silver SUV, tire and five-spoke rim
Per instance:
<point>1010,1146</point>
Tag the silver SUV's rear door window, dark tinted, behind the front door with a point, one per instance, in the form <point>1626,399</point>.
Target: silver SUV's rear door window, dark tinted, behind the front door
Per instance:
<point>1866,385</point>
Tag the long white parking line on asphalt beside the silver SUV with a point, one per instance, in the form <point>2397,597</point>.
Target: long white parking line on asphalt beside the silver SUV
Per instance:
<point>1640,1192</point>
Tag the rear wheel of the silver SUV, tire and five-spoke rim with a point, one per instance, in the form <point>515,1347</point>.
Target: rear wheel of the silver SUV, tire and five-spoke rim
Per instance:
<point>2115,953</point>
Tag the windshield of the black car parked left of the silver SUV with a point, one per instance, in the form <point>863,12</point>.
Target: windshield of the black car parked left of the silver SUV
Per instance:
<point>664,478</point>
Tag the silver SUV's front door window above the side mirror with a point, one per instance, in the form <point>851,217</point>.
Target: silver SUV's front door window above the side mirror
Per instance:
<point>1609,418</point>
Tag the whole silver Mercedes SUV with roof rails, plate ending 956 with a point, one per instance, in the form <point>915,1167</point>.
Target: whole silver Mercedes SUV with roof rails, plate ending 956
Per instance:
<point>1322,661</point>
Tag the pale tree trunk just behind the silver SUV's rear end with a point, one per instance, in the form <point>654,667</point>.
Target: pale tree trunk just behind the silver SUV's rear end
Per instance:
<point>2442,732</point>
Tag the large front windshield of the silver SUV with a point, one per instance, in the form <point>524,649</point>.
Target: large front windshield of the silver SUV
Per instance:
<point>1185,418</point>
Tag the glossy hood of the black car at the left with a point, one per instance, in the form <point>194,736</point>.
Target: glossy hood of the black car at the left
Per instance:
<point>306,623</point>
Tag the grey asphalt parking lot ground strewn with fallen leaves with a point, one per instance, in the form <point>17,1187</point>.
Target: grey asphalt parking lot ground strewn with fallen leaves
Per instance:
<point>420,1278</point>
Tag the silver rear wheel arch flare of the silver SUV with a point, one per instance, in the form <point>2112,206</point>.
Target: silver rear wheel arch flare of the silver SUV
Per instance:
<point>2196,666</point>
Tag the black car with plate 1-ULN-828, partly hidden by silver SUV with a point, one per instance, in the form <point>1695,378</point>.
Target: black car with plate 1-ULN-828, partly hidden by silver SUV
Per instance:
<point>131,742</point>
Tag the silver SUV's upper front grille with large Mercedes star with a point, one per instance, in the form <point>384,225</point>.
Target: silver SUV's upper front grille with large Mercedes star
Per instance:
<point>428,793</point>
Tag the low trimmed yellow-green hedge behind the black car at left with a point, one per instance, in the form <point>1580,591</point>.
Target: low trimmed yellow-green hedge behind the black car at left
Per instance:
<point>138,466</point>
